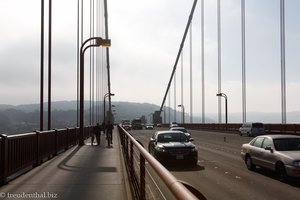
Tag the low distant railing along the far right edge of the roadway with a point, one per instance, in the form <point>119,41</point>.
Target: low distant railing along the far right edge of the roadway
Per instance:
<point>234,127</point>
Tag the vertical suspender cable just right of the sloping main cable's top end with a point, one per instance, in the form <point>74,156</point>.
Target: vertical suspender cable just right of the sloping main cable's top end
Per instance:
<point>202,60</point>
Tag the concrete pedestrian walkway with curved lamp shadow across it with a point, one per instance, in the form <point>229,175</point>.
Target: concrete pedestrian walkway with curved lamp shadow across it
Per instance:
<point>83,172</point>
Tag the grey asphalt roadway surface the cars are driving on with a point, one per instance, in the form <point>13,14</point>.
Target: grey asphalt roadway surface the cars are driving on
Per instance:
<point>221,172</point>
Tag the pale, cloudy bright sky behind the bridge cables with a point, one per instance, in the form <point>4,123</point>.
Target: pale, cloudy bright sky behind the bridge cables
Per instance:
<point>145,36</point>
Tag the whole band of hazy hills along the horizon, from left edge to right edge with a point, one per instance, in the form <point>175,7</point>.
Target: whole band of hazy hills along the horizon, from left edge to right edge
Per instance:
<point>25,118</point>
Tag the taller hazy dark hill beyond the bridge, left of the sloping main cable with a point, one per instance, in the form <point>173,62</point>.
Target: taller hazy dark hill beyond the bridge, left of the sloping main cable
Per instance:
<point>25,118</point>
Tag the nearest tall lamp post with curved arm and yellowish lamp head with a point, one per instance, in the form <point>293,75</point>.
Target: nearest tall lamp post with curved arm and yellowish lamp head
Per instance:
<point>98,42</point>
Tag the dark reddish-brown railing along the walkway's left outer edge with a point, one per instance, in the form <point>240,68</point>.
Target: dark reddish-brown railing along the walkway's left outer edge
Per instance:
<point>22,152</point>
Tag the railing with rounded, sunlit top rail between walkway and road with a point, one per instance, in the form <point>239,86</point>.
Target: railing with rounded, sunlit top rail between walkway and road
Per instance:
<point>136,157</point>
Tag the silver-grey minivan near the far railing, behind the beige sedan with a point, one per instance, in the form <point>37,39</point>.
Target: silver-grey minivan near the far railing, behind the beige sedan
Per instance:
<point>252,129</point>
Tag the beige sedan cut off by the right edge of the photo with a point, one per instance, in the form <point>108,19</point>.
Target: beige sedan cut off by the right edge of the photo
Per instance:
<point>279,153</point>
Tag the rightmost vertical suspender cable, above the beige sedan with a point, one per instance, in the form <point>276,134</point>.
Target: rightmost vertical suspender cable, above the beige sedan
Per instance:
<point>283,81</point>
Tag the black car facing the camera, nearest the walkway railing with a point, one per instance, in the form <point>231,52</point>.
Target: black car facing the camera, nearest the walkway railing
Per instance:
<point>173,147</point>
